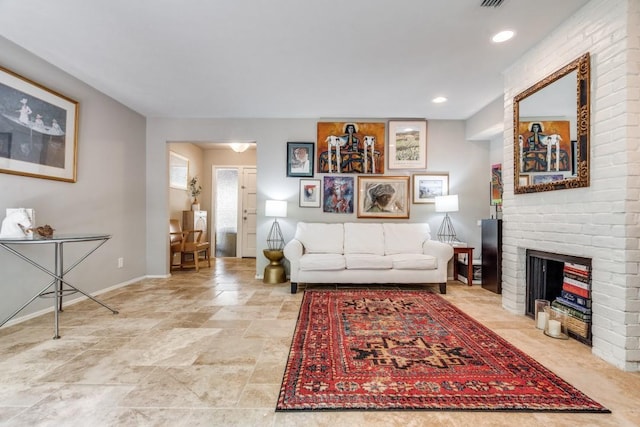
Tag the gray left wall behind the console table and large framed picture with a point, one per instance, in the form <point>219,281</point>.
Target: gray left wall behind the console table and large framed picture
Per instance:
<point>109,195</point>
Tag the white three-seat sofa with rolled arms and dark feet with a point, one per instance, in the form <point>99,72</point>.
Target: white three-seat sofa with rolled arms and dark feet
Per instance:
<point>366,253</point>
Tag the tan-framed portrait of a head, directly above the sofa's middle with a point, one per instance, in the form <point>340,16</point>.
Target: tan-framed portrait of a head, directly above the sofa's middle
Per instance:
<point>383,197</point>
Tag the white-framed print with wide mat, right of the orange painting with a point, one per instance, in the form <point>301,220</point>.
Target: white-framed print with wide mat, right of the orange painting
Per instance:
<point>407,144</point>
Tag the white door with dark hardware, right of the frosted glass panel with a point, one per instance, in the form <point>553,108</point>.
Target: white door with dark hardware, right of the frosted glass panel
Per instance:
<point>248,217</point>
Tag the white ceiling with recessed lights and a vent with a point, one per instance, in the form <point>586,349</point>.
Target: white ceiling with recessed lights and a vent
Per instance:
<point>285,58</point>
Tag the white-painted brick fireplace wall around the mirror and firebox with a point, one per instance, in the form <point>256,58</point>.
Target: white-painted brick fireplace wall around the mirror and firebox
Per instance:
<point>599,221</point>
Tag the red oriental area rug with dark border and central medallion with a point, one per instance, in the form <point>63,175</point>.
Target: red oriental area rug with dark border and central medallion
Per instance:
<point>413,350</point>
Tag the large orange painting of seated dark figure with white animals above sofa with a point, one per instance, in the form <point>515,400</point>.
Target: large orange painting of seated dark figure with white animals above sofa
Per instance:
<point>351,147</point>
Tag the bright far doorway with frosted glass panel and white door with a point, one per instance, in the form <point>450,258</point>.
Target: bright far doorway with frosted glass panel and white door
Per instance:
<point>234,211</point>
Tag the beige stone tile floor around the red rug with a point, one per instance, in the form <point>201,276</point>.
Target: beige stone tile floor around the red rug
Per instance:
<point>209,349</point>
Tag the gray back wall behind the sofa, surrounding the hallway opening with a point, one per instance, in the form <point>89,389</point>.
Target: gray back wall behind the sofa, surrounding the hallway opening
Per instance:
<point>447,151</point>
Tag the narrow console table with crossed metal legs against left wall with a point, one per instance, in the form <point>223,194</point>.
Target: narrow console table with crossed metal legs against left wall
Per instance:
<point>58,282</point>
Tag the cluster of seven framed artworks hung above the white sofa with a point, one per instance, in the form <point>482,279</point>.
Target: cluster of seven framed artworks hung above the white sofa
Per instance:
<point>351,159</point>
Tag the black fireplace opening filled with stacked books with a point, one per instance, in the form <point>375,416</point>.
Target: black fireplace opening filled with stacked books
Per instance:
<point>565,281</point>
